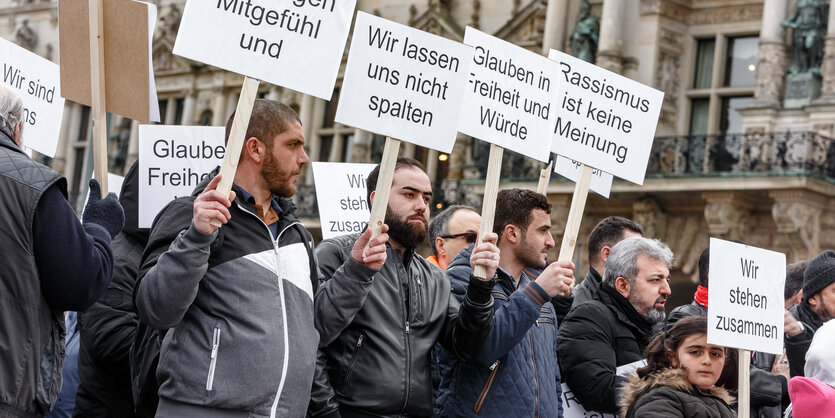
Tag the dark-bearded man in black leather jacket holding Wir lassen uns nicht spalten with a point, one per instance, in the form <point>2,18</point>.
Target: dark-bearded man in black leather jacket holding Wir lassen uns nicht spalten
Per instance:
<point>377,329</point>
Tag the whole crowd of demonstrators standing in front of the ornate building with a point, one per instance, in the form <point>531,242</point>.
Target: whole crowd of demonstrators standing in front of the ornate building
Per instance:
<point>252,319</point>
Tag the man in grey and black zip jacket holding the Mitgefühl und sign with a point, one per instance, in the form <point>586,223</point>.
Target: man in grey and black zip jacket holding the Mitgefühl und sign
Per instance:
<point>238,300</point>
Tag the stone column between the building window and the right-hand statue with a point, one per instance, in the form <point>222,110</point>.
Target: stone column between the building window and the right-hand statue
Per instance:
<point>773,57</point>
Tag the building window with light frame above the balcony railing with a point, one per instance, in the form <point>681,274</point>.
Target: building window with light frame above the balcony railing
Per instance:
<point>723,83</point>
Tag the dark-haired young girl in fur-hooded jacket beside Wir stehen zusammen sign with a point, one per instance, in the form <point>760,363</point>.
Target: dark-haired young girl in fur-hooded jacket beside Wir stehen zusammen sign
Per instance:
<point>679,378</point>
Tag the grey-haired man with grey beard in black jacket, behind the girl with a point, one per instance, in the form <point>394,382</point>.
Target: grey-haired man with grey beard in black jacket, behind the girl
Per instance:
<point>614,328</point>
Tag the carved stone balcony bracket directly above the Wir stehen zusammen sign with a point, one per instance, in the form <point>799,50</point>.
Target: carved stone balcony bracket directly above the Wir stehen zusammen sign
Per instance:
<point>727,214</point>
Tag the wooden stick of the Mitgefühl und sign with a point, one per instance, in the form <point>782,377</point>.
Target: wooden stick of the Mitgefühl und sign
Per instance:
<point>237,137</point>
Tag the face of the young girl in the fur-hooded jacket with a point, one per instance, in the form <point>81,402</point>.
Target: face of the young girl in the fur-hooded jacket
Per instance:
<point>701,361</point>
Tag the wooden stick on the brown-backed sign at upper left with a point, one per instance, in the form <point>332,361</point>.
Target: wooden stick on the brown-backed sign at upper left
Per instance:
<point>99,114</point>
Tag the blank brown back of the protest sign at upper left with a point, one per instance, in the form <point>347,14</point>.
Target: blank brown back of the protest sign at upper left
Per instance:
<point>127,28</point>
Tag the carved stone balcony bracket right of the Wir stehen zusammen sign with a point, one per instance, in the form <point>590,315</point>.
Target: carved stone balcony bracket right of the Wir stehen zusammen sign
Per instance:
<point>797,215</point>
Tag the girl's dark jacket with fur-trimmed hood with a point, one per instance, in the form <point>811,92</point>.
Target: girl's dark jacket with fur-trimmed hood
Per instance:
<point>693,402</point>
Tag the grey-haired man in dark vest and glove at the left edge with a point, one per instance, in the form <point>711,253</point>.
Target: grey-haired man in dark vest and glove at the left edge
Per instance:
<point>52,263</point>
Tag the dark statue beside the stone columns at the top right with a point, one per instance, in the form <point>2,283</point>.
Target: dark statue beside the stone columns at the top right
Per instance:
<point>808,25</point>
